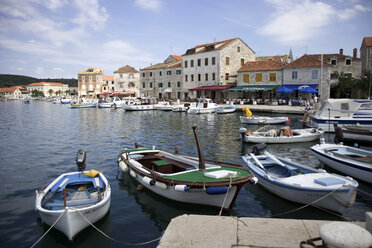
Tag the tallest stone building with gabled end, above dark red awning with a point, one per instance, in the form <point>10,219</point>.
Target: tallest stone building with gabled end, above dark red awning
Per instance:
<point>210,69</point>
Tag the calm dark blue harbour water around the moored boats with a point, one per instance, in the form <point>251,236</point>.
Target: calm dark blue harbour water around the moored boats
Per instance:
<point>39,141</point>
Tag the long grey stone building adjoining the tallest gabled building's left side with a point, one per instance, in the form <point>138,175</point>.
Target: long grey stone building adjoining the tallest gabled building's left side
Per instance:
<point>163,80</point>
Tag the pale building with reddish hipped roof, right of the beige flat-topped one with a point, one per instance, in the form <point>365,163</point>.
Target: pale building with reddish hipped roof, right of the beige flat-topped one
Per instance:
<point>127,78</point>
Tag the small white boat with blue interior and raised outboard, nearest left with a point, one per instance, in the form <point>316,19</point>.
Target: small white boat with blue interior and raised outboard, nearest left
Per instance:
<point>73,198</point>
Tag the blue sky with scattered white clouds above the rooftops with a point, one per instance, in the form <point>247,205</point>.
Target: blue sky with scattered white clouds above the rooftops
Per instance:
<point>60,38</point>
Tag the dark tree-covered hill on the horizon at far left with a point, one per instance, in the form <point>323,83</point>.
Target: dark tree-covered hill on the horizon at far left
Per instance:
<point>7,80</point>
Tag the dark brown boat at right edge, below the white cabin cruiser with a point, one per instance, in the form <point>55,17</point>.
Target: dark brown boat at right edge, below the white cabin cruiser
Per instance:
<point>361,134</point>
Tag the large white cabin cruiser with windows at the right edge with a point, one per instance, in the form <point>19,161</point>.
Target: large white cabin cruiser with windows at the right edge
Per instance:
<point>342,112</point>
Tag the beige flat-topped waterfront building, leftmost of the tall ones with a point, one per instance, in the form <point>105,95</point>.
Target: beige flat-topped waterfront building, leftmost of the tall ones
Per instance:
<point>90,82</point>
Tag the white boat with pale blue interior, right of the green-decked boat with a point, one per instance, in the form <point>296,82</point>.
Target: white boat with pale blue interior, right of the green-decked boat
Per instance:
<point>302,184</point>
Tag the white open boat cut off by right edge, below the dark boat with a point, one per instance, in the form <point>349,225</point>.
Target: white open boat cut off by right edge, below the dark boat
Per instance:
<point>351,161</point>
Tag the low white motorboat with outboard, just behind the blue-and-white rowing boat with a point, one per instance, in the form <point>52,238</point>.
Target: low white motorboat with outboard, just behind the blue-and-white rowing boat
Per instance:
<point>278,136</point>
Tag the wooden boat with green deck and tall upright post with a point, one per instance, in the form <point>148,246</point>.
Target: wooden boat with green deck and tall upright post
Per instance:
<point>185,179</point>
